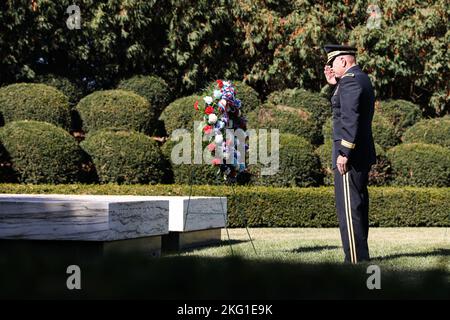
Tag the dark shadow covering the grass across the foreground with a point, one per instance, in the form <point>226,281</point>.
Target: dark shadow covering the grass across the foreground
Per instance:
<point>33,276</point>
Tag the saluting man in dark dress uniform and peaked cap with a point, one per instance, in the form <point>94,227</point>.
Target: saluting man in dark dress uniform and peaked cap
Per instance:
<point>353,147</point>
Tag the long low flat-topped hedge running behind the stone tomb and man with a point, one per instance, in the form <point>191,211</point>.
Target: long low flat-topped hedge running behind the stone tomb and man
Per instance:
<point>287,207</point>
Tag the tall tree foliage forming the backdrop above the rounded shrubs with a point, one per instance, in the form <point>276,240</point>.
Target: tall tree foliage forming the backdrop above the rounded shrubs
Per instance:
<point>269,44</point>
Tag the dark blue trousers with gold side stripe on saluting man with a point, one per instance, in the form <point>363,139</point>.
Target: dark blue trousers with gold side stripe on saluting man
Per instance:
<point>352,204</point>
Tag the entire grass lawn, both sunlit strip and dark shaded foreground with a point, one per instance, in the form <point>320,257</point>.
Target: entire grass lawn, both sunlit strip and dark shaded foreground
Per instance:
<point>291,263</point>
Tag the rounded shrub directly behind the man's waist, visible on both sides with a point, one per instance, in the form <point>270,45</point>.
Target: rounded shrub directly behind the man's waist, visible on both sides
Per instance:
<point>379,175</point>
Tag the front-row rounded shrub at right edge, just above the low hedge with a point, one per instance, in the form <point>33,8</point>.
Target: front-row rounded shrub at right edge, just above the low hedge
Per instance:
<point>422,165</point>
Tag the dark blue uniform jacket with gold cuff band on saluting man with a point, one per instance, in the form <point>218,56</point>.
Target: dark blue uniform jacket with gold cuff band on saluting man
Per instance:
<point>353,108</point>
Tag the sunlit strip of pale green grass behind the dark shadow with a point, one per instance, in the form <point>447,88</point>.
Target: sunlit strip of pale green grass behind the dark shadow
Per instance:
<point>392,248</point>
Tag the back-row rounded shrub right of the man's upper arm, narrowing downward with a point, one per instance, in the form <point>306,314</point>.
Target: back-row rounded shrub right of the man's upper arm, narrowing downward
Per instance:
<point>400,113</point>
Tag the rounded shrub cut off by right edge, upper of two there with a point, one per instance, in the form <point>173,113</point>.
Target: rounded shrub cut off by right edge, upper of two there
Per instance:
<point>432,131</point>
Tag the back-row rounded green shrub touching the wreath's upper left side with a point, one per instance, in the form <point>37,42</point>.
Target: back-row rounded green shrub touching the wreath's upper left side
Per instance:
<point>181,114</point>
